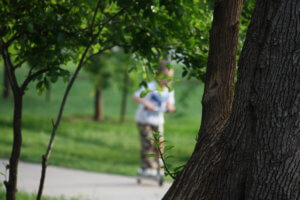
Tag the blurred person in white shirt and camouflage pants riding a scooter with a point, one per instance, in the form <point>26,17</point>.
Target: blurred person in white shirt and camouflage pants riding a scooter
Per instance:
<point>150,117</point>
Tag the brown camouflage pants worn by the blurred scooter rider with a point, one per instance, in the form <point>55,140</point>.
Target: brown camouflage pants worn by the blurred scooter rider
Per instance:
<point>147,146</point>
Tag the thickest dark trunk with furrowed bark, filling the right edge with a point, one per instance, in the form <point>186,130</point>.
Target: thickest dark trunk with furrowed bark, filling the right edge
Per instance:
<point>257,155</point>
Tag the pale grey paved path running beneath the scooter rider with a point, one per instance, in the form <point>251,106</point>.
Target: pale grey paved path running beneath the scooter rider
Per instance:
<point>85,185</point>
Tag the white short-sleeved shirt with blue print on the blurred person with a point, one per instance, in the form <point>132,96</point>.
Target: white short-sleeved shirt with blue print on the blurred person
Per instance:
<point>159,99</point>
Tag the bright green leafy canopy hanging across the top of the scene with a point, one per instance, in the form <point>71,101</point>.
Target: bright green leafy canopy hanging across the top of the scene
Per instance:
<point>48,34</point>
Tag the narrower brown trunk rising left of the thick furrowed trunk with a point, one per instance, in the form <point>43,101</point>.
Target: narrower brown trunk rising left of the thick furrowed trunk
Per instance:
<point>218,91</point>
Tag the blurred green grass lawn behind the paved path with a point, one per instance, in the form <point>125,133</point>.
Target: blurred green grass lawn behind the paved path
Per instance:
<point>97,146</point>
